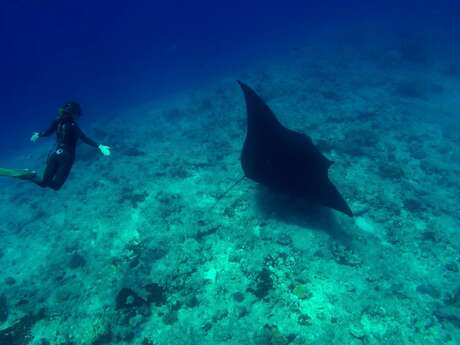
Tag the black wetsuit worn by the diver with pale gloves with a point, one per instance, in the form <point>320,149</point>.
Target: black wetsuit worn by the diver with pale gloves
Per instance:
<point>61,160</point>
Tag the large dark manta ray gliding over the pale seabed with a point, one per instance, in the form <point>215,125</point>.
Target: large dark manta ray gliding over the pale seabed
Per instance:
<point>285,160</point>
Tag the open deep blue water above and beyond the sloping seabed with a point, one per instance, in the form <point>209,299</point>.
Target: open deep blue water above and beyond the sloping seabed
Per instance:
<point>111,55</point>
